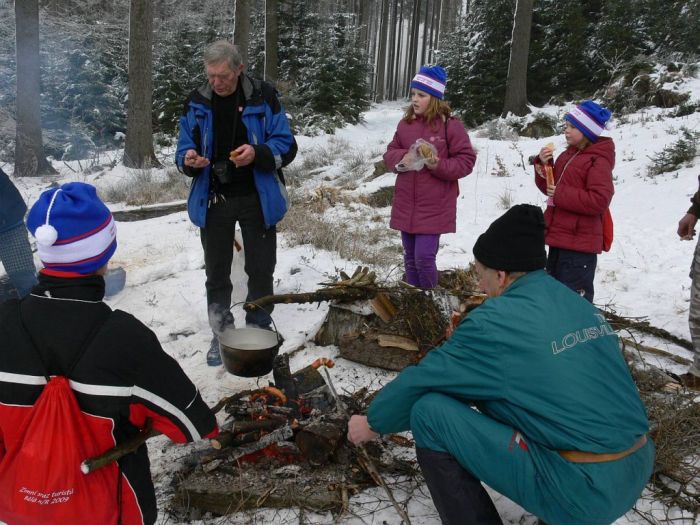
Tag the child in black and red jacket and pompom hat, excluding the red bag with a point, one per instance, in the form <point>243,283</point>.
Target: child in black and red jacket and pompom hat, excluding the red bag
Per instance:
<point>124,377</point>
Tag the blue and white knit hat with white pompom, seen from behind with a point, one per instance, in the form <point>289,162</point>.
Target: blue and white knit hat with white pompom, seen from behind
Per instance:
<point>75,232</point>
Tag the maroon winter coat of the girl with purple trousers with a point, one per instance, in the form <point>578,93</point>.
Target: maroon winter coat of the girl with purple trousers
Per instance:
<point>425,201</point>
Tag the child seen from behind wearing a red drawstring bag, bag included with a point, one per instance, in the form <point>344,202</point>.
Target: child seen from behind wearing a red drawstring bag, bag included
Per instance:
<point>77,378</point>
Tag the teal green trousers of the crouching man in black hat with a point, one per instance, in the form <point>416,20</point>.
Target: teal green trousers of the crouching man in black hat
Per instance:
<point>537,478</point>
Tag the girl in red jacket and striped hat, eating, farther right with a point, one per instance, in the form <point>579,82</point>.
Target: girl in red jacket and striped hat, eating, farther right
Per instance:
<point>579,195</point>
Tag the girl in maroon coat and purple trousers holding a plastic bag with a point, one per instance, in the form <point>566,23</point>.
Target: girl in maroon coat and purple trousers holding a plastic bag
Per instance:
<point>430,151</point>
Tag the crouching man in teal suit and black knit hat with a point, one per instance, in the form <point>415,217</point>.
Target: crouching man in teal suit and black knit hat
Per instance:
<point>530,395</point>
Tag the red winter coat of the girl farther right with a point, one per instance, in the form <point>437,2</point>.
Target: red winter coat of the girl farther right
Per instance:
<point>584,191</point>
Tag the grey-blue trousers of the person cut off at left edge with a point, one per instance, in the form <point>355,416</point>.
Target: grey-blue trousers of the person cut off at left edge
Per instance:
<point>16,257</point>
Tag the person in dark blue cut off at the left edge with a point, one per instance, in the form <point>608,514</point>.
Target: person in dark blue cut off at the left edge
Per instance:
<point>15,252</point>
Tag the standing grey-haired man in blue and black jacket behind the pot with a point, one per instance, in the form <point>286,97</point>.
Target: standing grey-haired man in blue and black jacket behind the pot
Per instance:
<point>234,140</point>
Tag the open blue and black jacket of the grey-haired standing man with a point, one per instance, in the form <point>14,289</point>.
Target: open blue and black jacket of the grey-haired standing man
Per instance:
<point>268,133</point>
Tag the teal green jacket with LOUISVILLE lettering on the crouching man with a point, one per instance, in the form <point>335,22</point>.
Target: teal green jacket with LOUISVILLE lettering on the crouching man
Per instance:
<point>538,358</point>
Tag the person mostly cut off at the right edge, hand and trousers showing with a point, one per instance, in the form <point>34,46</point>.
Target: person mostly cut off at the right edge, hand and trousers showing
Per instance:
<point>686,231</point>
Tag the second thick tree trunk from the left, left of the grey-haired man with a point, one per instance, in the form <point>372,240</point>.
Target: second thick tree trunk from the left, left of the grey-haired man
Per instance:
<point>138,147</point>
